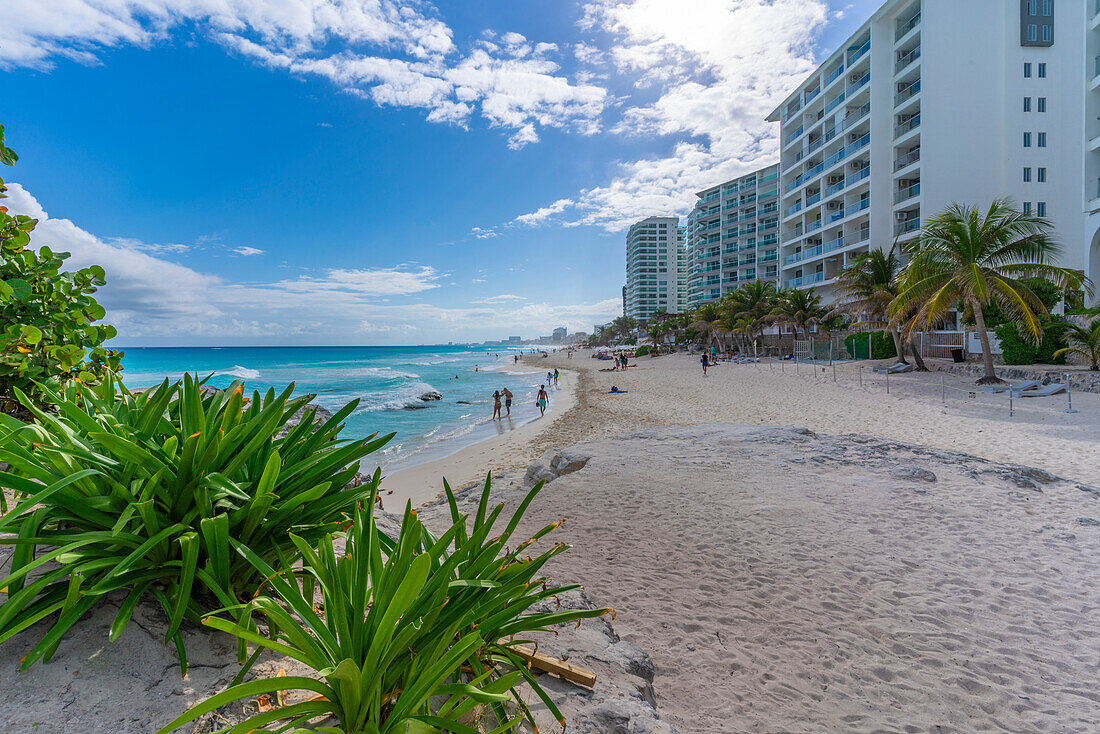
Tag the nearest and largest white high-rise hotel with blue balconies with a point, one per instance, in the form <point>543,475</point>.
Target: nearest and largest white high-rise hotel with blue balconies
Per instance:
<point>939,102</point>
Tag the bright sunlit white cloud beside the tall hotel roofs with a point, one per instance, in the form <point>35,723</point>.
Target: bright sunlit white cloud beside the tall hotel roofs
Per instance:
<point>720,68</point>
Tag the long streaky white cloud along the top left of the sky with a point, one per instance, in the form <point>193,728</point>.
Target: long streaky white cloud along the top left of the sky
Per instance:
<point>395,53</point>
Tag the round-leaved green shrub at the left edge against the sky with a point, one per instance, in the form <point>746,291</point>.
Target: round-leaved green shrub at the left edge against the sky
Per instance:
<point>48,331</point>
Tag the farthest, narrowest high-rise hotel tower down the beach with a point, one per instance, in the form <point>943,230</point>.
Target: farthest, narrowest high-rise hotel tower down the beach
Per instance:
<point>655,268</point>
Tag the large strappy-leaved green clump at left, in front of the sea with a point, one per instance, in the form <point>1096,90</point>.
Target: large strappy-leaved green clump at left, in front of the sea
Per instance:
<point>149,494</point>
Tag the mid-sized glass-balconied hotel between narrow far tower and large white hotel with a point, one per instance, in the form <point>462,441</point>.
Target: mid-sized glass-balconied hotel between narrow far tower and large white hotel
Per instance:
<point>733,236</point>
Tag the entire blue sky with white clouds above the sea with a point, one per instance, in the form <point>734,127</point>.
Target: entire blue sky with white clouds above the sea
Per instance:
<point>383,171</point>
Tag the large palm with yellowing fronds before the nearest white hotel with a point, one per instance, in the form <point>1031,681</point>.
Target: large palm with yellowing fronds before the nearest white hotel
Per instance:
<point>978,259</point>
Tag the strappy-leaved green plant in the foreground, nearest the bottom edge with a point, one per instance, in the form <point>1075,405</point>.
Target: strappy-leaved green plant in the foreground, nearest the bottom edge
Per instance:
<point>409,636</point>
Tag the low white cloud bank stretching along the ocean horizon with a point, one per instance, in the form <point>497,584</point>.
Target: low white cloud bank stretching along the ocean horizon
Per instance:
<point>151,300</point>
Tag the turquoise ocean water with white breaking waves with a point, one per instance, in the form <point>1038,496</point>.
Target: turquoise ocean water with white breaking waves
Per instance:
<point>387,380</point>
